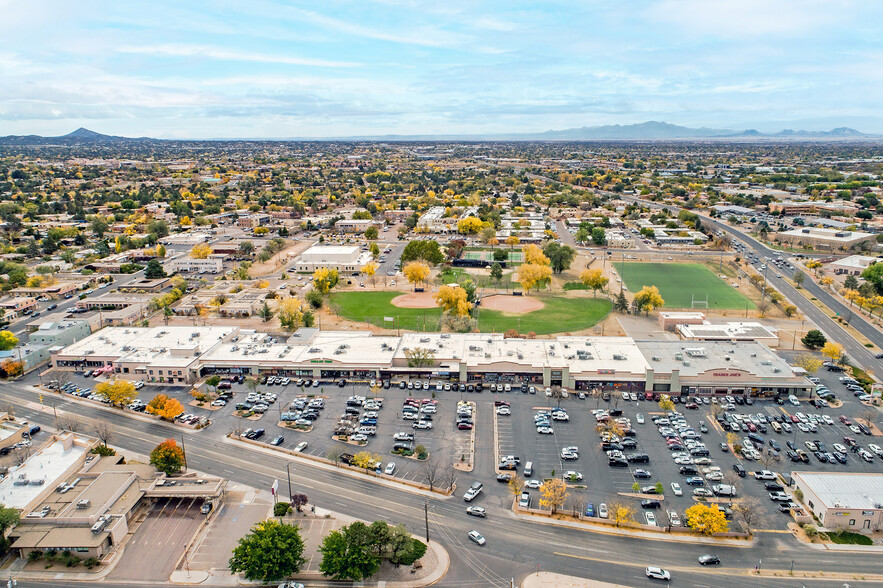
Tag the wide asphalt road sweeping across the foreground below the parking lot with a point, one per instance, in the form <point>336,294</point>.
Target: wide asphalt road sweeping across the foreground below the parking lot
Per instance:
<point>515,546</point>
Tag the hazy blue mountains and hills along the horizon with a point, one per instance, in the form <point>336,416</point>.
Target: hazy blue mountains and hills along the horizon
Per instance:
<point>646,131</point>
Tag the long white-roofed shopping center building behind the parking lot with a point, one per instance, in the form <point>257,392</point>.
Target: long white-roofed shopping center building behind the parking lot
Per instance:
<point>183,355</point>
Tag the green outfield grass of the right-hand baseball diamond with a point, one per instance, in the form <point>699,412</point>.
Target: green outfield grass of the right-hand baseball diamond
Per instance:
<point>558,316</point>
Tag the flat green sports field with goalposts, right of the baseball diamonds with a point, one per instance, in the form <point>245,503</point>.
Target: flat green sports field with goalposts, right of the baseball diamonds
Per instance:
<point>678,283</point>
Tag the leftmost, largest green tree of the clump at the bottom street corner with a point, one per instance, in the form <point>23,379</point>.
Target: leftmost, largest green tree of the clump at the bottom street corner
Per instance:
<point>347,554</point>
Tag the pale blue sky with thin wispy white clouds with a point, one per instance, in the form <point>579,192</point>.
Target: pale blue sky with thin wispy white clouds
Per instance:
<point>264,69</point>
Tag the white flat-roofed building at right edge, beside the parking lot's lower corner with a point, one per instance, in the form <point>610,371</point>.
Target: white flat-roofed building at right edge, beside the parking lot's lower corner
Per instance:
<point>842,500</point>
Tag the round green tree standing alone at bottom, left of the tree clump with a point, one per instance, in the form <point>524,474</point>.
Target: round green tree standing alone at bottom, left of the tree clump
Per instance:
<point>272,551</point>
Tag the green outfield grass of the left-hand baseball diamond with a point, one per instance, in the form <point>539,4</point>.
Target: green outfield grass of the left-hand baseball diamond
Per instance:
<point>372,307</point>
